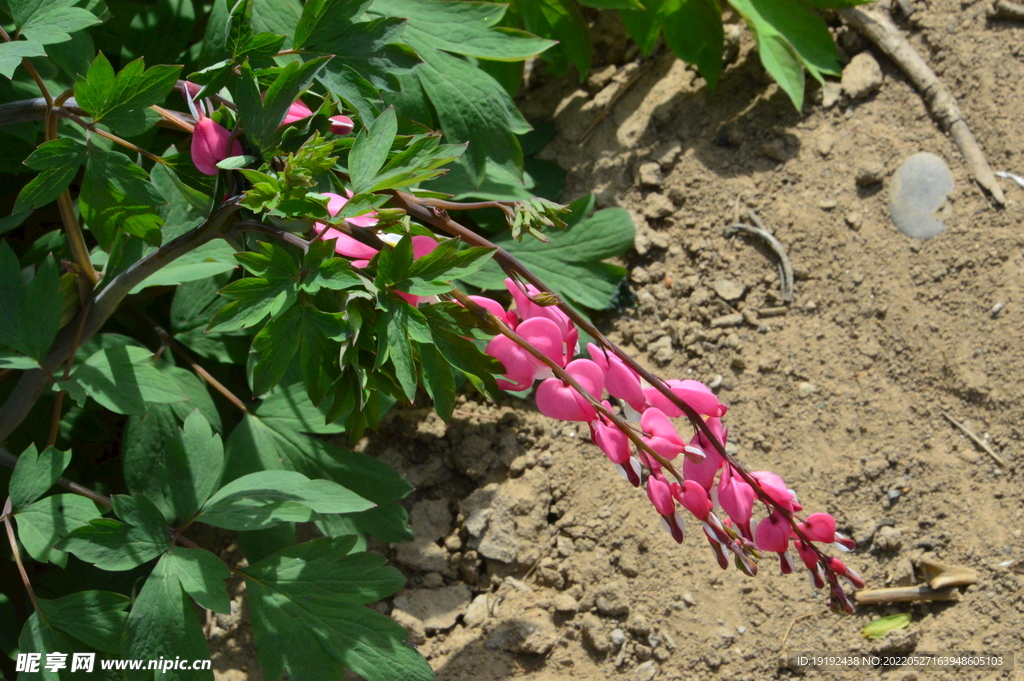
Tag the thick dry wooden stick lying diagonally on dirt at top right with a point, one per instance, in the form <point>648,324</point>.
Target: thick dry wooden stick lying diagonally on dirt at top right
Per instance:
<point>881,31</point>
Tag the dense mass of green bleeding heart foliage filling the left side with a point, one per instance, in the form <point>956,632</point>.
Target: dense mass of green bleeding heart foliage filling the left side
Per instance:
<point>201,353</point>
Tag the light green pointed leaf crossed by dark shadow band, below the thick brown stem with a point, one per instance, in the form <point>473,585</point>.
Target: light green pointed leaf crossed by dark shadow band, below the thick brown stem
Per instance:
<point>123,379</point>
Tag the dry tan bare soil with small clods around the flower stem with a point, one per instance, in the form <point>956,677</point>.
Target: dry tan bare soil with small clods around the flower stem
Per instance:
<point>541,564</point>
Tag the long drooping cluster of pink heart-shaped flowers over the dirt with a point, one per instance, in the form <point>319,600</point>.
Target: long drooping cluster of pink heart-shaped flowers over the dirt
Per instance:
<point>710,486</point>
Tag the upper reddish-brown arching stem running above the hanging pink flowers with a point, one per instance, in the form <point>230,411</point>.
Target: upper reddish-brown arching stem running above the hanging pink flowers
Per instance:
<point>511,266</point>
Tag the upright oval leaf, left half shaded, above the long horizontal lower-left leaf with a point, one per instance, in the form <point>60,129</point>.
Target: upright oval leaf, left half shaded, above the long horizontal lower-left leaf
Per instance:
<point>195,459</point>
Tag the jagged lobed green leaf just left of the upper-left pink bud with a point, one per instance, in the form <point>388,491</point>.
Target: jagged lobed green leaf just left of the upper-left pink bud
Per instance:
<point>102,94</point>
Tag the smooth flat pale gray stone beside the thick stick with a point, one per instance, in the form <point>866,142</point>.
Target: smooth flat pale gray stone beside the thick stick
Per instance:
<point>918,194</point>
